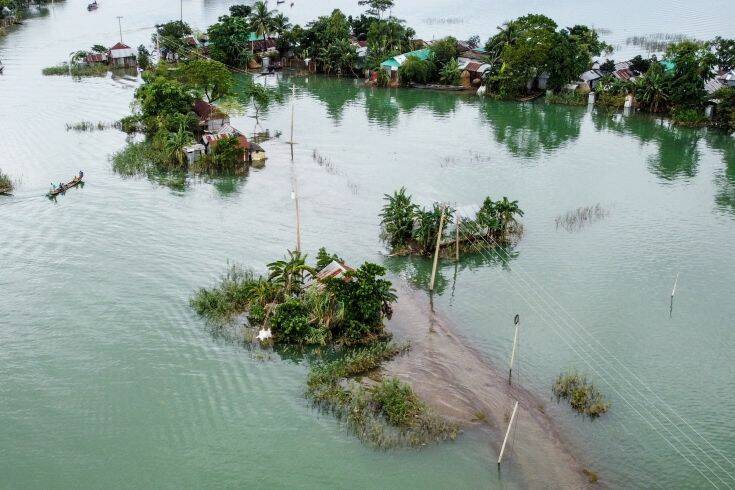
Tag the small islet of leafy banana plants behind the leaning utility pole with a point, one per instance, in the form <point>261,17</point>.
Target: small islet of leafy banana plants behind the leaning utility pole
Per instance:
<point>411,229</point>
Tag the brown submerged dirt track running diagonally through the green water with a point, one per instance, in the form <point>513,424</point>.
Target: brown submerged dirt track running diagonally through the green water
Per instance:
<point>461,385</point>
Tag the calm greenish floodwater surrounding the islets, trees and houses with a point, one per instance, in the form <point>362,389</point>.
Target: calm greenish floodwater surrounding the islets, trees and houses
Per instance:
<point>108,378</point>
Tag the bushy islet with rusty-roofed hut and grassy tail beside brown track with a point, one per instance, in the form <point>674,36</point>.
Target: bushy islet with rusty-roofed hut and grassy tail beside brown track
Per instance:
<point>343,310</point>
